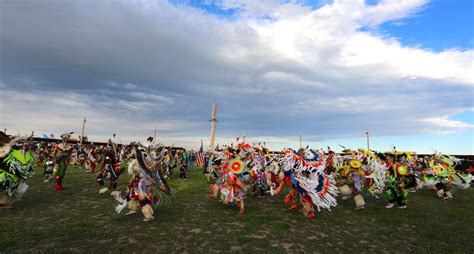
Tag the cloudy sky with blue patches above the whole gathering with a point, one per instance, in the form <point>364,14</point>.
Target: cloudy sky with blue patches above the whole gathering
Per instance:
<point>326,70</point>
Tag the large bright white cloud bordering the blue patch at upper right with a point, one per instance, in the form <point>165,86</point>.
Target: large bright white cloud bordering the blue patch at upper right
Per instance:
<point>330,36</point>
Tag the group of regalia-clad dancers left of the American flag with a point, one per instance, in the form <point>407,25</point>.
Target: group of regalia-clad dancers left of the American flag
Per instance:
<point>149,166</point>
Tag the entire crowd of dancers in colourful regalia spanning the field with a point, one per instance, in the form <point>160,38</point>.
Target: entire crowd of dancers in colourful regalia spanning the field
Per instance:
<point>315,179</point>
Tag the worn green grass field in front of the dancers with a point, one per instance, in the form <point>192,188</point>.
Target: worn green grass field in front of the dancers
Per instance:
<point>78,219</point>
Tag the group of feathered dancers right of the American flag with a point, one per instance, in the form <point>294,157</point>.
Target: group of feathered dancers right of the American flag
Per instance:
<point>316,178</point>
